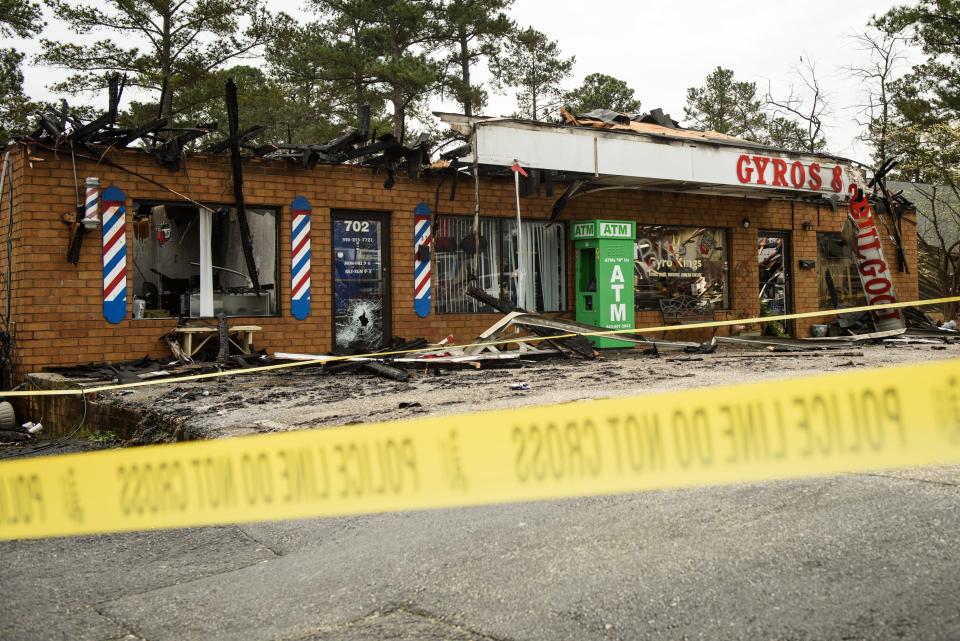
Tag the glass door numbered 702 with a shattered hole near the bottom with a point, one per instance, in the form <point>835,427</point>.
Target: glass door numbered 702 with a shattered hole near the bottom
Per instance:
<point>361,293</point>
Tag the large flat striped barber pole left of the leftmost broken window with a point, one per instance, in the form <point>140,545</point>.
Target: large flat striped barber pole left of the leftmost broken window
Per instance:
<point>114,208</point>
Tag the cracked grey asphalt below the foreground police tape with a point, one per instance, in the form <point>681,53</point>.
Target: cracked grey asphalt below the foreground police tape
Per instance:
<point>849,557</point>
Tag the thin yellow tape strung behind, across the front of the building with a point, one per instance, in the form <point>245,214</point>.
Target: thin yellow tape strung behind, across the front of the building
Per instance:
<point>511,341</point>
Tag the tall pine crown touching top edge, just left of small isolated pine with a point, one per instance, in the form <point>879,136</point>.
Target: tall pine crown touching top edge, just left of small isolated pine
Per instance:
<point>473,30</point>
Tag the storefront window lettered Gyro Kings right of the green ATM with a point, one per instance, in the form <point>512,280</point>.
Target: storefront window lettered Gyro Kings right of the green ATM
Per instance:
<point>680,261</point>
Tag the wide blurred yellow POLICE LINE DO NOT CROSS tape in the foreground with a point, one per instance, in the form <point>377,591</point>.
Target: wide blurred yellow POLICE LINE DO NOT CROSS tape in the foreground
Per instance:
<point>835,423</point>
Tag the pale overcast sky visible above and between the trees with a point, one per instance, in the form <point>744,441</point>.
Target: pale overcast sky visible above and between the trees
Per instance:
<point>661,48</point>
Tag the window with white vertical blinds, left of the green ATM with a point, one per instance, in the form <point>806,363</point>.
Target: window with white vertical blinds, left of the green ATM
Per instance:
<point>542,256</point>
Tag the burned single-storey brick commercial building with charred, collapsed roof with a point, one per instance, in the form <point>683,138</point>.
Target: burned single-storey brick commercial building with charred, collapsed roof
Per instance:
<point>332,249</point>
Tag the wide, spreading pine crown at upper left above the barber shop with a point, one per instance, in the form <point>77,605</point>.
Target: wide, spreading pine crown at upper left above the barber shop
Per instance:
<point>178,42</point>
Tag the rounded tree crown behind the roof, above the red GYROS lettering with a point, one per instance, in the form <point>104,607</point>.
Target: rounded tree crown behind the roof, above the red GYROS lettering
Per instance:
<point>727,106</point>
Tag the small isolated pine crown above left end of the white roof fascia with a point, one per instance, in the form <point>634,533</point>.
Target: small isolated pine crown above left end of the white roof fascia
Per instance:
<point>533,64</point>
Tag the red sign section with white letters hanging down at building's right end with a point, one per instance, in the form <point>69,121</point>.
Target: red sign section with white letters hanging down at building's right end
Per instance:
<point>863,237</point>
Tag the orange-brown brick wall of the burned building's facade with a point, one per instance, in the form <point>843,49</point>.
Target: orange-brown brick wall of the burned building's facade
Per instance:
<point>56,307</point>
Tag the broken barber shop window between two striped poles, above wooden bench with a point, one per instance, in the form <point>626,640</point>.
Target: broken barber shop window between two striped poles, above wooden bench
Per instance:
<point>170,257</point>
